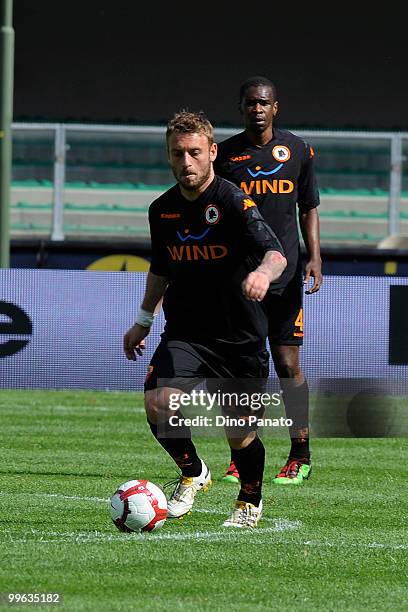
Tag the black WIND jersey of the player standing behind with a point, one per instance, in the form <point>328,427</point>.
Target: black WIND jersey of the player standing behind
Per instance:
<point>278,177</point>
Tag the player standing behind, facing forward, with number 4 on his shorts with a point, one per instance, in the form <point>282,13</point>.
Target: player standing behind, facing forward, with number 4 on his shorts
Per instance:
<point>275,168</point>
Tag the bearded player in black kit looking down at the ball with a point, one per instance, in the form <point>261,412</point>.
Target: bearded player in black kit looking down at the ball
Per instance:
<point>213,260</point>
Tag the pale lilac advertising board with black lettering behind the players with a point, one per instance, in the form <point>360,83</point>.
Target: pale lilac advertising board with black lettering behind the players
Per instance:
<point>64,328</point>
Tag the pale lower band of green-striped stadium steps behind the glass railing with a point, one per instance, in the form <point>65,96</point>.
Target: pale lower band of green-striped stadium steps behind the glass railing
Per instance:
<point>124,212</point>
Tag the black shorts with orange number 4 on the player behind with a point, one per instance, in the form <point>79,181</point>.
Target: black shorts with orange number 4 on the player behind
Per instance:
<point>285,314</point>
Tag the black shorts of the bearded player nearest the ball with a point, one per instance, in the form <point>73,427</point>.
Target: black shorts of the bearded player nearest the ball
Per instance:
<point>184,365</point>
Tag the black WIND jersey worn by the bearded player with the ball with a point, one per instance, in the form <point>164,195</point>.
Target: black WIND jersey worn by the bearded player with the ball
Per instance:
<point>206,248</point>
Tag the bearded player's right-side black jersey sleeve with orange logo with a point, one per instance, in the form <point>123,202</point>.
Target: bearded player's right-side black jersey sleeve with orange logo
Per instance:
<point>257,234</point>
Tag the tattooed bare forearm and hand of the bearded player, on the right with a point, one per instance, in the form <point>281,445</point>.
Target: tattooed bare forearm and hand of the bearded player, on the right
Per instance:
<point>256,284</point>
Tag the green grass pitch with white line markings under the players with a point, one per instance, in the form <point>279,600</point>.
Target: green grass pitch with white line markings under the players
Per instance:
<point>337,543</point>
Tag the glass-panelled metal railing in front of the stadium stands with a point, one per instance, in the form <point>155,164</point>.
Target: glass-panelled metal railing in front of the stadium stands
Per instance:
<point>73,180</point>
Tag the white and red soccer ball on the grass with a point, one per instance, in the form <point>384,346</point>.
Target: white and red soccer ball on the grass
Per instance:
<point>138,505</point>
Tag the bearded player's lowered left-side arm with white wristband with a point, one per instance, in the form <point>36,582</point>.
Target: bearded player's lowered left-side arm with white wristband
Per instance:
<point>133,340</point>
